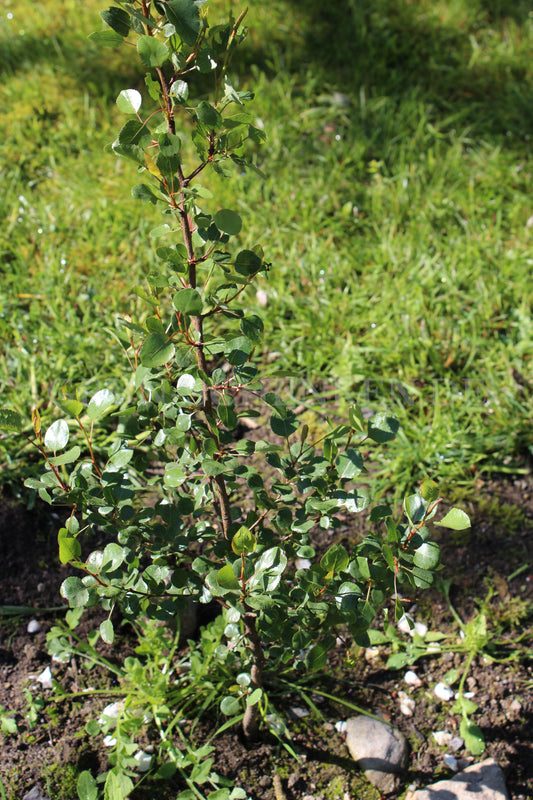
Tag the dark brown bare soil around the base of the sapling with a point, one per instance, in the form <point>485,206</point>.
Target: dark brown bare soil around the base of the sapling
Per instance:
<point>496,553</point>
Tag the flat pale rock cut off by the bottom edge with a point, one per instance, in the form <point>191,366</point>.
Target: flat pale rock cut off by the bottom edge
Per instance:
<point>484,781</point>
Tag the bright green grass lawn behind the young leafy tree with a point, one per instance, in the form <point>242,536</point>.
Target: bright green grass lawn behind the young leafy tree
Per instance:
<point>395,211</point>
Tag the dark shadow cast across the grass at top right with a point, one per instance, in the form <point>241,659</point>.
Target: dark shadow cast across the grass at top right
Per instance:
<point>465,68</point>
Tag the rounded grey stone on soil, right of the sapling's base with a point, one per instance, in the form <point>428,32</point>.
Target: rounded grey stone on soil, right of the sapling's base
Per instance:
<point>378,749</point>
